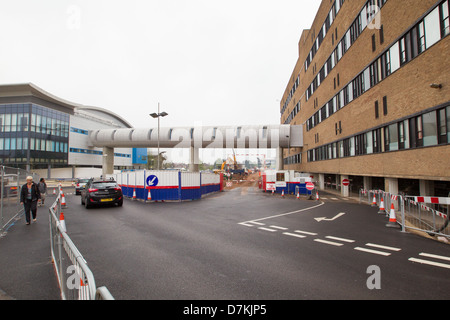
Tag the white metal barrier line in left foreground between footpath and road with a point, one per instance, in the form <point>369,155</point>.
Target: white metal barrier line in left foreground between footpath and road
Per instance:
<point>75,279</point>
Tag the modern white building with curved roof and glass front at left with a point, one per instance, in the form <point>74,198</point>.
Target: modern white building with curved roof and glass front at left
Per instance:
<point>41,131</point>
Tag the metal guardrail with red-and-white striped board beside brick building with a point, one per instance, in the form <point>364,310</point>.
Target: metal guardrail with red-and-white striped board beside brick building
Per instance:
<point>426,214</point>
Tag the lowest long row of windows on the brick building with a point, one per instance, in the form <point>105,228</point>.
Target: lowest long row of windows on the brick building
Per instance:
<point>428,129</point>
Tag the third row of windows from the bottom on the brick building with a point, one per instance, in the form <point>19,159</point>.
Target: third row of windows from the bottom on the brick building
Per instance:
<point>364,18</point>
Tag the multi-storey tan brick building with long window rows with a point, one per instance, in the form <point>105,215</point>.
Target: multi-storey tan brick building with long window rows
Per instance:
<point>371,87</point>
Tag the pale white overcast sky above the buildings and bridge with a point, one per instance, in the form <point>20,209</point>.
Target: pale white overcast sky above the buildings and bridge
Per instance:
<point>208,61</point>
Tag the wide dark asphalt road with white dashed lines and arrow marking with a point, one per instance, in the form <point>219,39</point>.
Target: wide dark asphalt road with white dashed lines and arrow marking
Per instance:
<point>247,245</point>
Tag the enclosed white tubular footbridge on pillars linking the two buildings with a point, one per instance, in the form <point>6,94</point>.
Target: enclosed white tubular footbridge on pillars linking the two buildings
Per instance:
<point>195,138</point>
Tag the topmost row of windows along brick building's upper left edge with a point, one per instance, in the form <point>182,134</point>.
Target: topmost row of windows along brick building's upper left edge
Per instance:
<point>322,33</point>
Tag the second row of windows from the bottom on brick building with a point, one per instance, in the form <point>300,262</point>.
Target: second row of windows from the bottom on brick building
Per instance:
<point>422,36</point>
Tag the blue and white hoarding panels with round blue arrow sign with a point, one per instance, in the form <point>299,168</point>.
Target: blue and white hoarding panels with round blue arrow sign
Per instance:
<point>167,185</point>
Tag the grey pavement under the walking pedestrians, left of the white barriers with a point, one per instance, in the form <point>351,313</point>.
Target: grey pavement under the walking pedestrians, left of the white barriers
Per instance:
<point>26,268</point>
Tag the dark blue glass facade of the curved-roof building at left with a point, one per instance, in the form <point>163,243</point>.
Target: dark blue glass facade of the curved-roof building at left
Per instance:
<point>33,135</point>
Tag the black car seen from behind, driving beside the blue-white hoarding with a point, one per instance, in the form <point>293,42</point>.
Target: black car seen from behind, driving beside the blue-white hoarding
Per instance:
<point>101,192</point>
